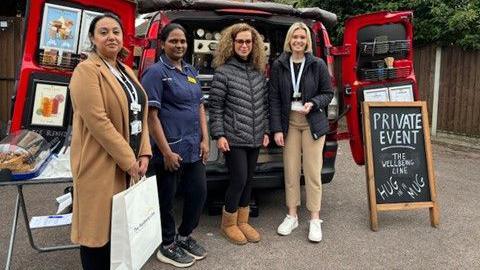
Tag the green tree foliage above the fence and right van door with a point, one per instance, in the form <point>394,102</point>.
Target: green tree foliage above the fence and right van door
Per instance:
<point>444,22</point>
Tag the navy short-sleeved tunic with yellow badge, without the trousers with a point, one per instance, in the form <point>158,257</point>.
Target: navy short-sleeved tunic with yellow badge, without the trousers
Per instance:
<point>177,96</point>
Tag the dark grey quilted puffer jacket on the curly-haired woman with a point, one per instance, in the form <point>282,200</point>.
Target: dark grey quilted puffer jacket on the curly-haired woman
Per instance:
<point>238,104</point>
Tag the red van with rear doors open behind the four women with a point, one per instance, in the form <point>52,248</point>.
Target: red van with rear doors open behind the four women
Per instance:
<point>377,62</point>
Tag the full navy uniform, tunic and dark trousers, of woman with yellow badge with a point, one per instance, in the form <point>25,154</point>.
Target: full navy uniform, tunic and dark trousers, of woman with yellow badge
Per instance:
<point>177,95</point>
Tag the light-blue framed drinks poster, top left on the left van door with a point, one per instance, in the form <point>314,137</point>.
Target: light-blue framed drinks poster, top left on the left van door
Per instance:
<point>60,28</point>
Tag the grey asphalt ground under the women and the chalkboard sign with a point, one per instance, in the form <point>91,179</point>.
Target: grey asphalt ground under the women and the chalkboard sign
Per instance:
<point>405,239</point>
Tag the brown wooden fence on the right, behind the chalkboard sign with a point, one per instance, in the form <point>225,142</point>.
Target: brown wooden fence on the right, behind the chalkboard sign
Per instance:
<point>459,91</point>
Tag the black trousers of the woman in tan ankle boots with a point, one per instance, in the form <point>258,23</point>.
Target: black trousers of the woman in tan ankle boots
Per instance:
<point>241,163</point>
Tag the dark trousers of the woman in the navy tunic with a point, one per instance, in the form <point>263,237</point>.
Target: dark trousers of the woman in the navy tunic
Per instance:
<point>192,180</point>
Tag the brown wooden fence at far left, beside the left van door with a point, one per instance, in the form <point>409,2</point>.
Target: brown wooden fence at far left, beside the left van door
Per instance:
<point>10,57</point>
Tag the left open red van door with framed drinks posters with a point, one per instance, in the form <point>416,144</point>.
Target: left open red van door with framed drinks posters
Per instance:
<point>54,42</point>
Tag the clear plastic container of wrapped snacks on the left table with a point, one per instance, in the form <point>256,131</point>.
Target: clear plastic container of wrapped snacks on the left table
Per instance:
<point>25,153</point>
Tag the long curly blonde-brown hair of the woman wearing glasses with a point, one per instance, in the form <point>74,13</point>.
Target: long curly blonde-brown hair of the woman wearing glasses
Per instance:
<point>225,48</point>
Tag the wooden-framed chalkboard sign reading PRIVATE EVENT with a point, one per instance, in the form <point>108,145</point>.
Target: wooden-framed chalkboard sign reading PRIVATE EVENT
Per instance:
<point>398,152</point>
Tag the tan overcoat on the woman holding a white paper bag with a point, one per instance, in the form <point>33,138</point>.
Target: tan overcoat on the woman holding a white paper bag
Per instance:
<point>100,150</point>
